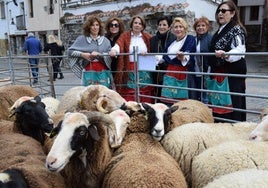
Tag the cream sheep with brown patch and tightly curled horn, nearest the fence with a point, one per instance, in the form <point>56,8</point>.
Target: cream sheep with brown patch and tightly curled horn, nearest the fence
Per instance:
<point>90,98</point>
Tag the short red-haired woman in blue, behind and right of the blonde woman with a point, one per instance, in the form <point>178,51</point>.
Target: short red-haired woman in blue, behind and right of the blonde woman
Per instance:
<point>203,39</point>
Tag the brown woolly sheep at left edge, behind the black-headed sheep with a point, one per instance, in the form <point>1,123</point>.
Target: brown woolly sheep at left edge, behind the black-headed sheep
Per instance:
<point>9,94</point>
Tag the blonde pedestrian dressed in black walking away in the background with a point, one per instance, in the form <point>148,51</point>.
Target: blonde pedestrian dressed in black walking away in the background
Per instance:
<point>54,50</point>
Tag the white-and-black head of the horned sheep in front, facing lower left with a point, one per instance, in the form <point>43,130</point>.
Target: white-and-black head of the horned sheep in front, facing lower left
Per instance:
<point>78,133</point>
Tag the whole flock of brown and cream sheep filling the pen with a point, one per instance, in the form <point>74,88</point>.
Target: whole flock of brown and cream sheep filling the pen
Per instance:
<point>92,137</point>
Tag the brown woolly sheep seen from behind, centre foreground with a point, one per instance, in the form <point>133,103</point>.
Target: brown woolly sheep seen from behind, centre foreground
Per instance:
<point>141,161</point>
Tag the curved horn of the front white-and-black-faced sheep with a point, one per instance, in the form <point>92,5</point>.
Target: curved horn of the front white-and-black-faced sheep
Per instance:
<point>108,122</point>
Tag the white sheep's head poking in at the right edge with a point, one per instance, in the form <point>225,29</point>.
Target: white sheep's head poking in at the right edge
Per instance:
<point>260,133</point>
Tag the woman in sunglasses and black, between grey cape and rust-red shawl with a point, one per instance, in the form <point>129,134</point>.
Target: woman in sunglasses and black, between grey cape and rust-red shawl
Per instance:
<point>114,28</point>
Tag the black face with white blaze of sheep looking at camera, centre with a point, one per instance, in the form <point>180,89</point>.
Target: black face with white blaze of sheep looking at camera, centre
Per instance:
<point>159,118</point>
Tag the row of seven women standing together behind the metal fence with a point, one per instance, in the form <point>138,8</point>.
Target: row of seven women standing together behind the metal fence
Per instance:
<point>101,53</point>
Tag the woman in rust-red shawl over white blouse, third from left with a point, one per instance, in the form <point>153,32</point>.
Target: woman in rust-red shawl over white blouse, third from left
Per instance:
<point>125,78</point>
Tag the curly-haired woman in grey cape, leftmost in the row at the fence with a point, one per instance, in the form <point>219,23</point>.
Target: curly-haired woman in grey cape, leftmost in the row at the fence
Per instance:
<point>90,46</point>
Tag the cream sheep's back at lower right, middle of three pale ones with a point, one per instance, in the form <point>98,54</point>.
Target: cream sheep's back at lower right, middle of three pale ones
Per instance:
<point>226,158</point>
